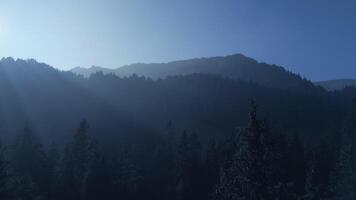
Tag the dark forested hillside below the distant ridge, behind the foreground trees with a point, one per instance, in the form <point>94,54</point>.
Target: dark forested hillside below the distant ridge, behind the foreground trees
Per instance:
<point>53,102</point>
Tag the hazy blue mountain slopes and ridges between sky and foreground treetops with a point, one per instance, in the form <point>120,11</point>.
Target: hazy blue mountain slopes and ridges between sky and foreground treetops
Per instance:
<point>190,93</point>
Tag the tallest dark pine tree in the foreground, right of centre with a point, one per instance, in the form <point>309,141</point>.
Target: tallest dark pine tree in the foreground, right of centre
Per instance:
<point>252,173</point>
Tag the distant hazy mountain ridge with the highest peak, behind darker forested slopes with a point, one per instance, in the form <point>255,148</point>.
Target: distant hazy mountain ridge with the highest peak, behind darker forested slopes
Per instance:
<point>235,66</point>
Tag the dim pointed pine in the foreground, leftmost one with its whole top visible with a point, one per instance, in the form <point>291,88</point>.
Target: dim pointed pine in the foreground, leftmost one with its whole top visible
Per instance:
<point>30,166</point>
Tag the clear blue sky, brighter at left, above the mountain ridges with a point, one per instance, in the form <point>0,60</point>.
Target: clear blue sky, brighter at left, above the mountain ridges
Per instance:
<point>314,38</point>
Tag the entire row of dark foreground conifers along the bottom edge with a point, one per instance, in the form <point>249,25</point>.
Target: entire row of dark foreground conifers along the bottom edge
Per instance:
<point>253,163</point>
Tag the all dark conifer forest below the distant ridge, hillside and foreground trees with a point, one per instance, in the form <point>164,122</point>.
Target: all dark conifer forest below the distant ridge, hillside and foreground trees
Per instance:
<point>185,137</point>
